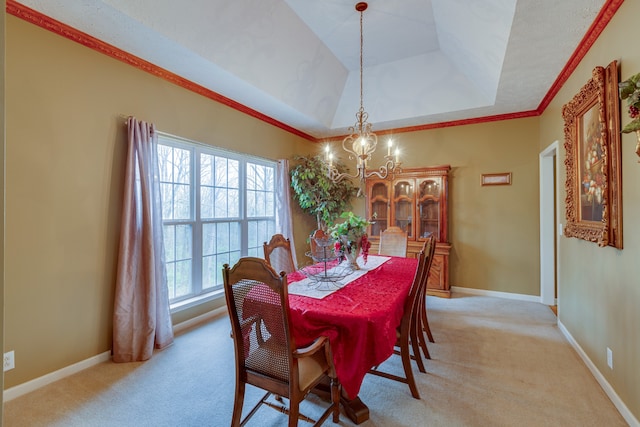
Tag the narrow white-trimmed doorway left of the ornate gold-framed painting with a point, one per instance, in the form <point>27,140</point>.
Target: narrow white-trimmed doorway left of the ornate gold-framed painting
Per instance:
<point>548,210</point>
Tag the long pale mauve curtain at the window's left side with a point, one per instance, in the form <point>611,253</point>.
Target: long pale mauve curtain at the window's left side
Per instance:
<point>141,318</point>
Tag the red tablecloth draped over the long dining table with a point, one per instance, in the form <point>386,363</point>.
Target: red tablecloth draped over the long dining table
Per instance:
<point>360,319</point>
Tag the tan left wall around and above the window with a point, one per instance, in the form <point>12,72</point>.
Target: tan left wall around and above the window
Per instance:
<point>65,155</point>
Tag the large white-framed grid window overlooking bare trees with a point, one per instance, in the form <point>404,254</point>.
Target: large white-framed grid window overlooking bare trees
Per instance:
<point>216,207</point>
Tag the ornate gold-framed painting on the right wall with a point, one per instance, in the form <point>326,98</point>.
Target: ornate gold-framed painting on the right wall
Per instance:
<point>592,144</point>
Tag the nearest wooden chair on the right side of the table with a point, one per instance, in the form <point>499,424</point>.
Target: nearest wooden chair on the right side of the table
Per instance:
<point>406,337</point>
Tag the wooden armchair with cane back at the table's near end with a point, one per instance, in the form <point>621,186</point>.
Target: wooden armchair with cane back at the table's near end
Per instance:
<point>265,351</point>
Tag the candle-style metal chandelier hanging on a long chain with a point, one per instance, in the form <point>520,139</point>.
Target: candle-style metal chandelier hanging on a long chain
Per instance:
<point>362,142</point>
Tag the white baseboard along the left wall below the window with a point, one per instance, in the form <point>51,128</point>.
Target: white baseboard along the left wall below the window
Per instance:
<point>36,383</point>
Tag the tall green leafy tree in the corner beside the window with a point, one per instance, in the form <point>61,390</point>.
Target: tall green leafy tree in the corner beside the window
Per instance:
<point>316,194</point>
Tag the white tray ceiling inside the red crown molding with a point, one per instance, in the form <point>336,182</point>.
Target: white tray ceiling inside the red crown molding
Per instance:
<point>297,61</point>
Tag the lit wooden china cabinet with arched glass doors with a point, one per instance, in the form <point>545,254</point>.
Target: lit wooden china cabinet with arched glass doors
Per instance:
<point>416,200</point>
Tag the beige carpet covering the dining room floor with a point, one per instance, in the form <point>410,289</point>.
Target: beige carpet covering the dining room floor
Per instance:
<point>495,362</point>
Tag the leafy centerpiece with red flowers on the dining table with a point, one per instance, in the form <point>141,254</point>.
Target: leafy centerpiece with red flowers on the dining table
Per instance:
<point>351,237</point>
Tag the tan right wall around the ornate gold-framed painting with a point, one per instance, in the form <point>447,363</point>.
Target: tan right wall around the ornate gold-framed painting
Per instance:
<point>599,296</point>
